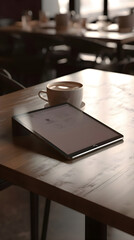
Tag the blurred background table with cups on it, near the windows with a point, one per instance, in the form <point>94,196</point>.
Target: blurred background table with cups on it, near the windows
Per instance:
<point>50,30</point>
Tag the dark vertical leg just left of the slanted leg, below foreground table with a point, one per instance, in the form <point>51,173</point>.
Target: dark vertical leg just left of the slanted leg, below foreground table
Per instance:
<point>34,209</point>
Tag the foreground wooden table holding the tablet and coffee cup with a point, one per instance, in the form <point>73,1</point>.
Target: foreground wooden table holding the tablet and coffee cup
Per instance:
<point>99,185</point>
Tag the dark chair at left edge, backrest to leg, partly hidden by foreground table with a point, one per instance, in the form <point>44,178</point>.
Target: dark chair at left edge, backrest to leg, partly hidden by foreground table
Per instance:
<point>8,85</point>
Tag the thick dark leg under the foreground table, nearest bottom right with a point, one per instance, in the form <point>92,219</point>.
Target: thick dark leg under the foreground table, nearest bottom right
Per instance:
<point>95,230</point>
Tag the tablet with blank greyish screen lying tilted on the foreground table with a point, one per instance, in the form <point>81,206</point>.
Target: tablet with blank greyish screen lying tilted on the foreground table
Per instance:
<point>69,130</point>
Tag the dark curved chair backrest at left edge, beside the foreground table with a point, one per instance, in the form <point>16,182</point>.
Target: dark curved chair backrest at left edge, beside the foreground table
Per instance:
<point>7,84</point>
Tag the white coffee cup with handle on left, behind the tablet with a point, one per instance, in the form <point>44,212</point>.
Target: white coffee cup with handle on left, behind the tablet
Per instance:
<point>62,92</point>
